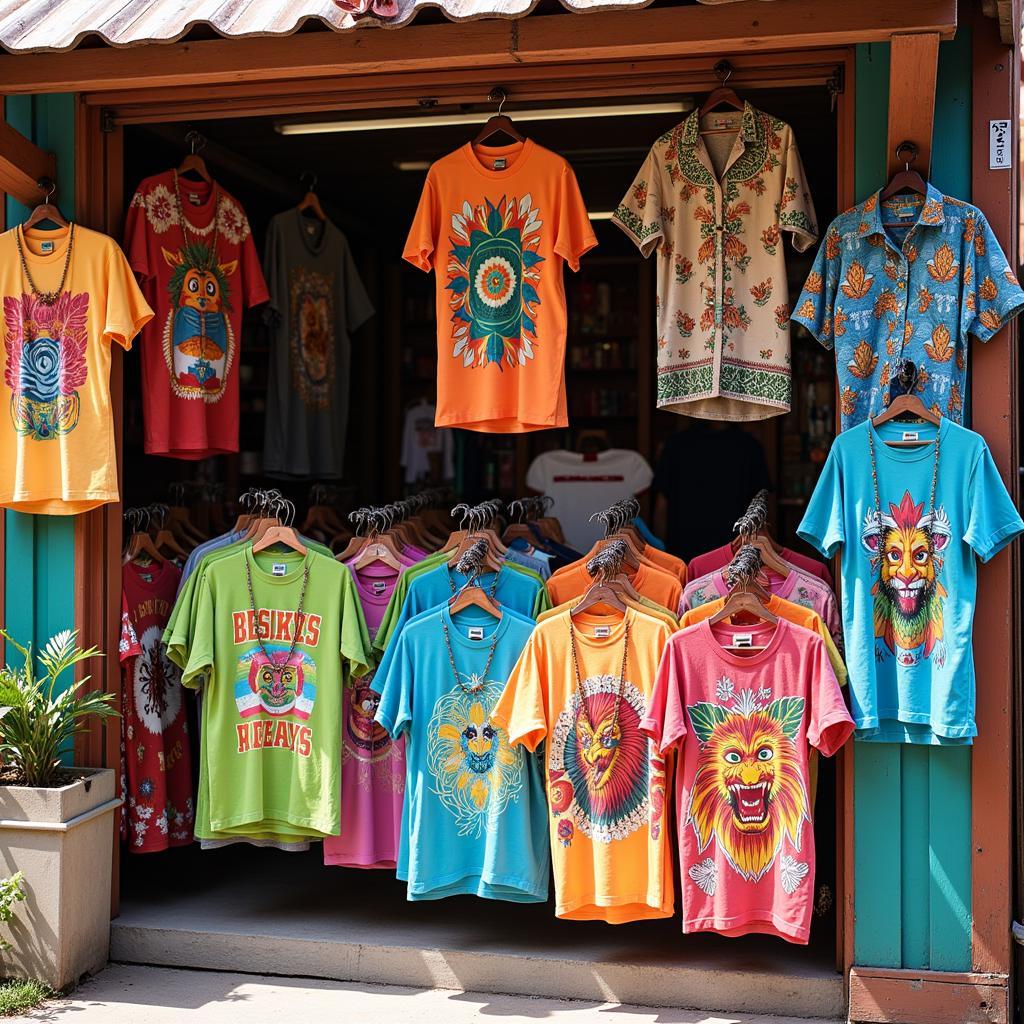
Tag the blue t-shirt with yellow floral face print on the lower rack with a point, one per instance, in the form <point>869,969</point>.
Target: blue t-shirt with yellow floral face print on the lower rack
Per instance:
<point>476,815</point>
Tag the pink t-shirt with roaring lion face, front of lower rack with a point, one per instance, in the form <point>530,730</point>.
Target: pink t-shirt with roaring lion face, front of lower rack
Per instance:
<point>742,721</point>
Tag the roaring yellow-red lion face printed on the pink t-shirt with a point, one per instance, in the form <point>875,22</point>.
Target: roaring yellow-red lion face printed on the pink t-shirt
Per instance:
<point>748,791</point>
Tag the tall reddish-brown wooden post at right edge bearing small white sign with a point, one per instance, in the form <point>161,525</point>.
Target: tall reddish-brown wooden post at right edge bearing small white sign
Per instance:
<point>996,415</point>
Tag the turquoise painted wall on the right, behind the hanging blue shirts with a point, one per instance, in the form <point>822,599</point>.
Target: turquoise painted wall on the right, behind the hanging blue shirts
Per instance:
<point>913,805</point>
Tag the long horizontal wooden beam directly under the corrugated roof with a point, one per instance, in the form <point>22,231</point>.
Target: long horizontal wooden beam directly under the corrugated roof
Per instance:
<point>609,35</point>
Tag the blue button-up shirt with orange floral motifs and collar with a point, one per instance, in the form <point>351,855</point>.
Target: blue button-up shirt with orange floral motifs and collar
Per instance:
<point>912,285</point>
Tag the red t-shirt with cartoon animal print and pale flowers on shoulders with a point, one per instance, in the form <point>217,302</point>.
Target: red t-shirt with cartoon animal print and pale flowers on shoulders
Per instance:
<point>199,277</point>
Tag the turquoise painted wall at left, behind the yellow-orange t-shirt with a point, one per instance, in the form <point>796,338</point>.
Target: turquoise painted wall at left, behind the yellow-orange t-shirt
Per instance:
<point>39,581</point>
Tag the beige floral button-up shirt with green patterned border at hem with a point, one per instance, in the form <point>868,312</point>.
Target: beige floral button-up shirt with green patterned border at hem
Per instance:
<point>713,198</point>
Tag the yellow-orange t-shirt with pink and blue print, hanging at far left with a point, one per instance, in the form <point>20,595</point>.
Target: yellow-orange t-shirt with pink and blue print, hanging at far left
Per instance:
<point>57,430</point>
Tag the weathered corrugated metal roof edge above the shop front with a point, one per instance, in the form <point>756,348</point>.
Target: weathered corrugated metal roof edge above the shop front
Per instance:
<point>61,25</point>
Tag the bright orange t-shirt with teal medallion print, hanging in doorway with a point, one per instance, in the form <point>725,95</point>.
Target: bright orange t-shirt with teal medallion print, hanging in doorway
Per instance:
<point>497,225</point>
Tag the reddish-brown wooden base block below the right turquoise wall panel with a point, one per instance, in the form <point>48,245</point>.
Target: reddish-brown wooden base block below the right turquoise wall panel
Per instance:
<point>881,997</point>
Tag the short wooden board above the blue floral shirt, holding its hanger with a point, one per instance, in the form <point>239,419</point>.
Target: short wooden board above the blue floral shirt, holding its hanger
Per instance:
<point>914,65</point>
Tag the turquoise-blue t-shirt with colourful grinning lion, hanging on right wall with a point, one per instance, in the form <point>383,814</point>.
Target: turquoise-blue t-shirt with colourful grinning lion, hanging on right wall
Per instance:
<point>910,575</point>
